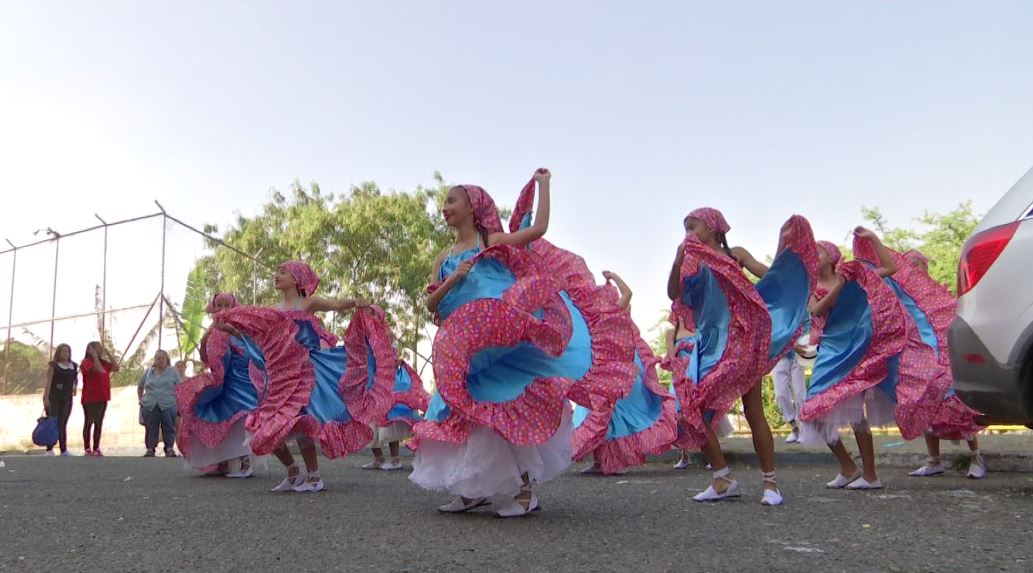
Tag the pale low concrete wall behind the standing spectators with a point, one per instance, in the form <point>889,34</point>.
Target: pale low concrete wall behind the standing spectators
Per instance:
<point>122,431</point>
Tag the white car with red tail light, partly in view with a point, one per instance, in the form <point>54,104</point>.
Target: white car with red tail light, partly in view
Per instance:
<point>992,337</point>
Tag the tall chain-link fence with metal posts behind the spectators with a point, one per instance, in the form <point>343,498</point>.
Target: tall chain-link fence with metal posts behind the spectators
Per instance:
<point>131,284</point>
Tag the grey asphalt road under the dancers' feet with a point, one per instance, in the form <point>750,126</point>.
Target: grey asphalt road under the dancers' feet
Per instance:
<point>87,515</point>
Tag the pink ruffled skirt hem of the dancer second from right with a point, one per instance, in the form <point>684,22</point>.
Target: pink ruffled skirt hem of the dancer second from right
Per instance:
<point>890,337</point>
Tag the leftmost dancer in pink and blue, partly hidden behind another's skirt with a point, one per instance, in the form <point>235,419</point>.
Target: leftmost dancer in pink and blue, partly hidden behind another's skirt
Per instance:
<point>213,406</point>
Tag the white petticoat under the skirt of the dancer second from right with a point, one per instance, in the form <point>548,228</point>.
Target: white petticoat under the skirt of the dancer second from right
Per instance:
<point>873,408</point>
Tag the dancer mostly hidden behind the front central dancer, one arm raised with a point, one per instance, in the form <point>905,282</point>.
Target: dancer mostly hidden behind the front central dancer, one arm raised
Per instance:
<point>644,424</point>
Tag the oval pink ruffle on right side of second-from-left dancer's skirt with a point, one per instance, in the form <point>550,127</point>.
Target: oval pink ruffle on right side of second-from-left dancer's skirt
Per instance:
<point>368,402</point>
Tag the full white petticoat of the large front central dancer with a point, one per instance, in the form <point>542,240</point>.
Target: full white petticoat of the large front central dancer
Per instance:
<point>489,467</point>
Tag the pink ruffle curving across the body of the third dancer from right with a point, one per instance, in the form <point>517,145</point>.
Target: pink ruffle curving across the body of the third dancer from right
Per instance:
<point>745,358</point>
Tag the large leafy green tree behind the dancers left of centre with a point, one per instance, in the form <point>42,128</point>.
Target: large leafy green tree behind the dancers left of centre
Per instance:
<point>366,244</point>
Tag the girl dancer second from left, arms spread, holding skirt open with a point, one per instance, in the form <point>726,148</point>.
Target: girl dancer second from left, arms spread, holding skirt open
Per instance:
<point>314,390</point>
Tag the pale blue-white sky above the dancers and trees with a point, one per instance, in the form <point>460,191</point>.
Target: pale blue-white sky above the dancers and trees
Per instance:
<point>642,111</point>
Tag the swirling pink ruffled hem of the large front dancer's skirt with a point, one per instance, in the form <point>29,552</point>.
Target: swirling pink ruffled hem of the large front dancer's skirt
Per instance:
<point>542,273</point>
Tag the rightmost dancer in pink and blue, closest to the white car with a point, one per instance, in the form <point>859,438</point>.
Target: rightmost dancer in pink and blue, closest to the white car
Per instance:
<point>932,308</point>
